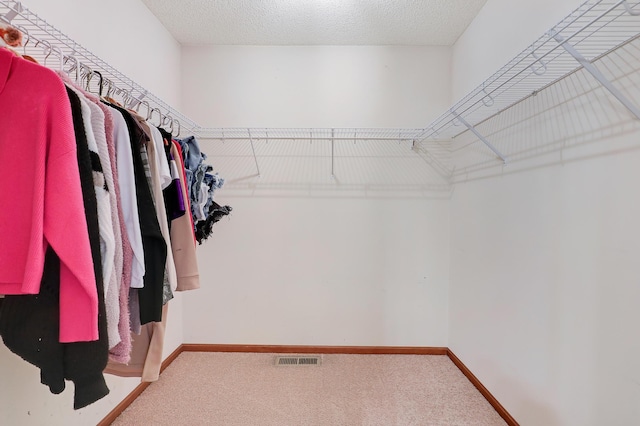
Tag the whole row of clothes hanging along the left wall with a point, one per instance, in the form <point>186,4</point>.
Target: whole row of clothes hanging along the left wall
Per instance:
<point>99,235</point>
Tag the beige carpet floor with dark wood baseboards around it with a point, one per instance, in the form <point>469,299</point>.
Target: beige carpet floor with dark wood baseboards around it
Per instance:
<point>249,389</point>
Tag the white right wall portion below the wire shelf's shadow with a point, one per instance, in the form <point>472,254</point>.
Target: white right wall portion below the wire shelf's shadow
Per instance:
<point>544,285</point>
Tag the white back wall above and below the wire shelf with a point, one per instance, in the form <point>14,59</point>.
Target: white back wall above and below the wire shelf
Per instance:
<point>305,259</point>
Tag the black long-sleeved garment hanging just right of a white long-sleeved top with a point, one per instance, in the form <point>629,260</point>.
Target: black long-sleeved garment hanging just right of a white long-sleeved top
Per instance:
<point>155,248</point>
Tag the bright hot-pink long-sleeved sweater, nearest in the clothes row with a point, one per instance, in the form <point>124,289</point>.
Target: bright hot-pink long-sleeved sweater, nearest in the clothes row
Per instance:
<point>40,195</point>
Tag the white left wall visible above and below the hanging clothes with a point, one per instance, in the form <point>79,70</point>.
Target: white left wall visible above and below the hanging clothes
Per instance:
<point>126,35</point>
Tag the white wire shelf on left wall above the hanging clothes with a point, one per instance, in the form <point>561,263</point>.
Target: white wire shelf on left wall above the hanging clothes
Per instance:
<point>32,26</point>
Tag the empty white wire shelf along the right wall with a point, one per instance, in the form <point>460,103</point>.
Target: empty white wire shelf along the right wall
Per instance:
<point>596,28</point>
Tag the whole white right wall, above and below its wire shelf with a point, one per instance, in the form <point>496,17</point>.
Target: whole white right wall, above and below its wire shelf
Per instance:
<point>544,271</point>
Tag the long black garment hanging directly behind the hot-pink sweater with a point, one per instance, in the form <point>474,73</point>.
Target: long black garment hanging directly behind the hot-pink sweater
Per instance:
<point>30,324</point>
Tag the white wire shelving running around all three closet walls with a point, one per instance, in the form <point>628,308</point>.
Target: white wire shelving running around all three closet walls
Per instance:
<point>593,30</point>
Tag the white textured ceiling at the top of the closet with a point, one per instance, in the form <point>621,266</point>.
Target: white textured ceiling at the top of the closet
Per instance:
<point>316,22</point>
